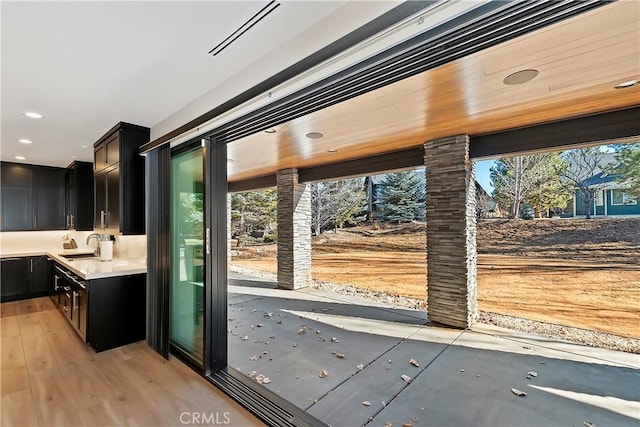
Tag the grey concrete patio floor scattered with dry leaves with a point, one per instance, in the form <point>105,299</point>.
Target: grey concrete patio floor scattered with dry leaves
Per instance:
<point>464,378</point>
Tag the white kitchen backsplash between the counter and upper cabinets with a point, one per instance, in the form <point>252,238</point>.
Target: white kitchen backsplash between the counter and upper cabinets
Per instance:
<point>16,242</point>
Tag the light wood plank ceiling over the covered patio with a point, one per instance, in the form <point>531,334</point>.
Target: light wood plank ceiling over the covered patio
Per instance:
<point>579,60</point>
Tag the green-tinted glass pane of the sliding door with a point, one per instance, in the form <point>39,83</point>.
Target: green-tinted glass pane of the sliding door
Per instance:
<point>187,255</point>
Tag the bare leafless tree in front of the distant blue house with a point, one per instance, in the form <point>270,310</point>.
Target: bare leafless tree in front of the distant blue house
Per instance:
<point>584,165</point>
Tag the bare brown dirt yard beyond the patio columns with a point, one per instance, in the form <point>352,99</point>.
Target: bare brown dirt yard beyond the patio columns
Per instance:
<point>581,273</point>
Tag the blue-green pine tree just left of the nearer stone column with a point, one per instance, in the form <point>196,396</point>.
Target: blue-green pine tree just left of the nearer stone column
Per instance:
<point>401,197</point>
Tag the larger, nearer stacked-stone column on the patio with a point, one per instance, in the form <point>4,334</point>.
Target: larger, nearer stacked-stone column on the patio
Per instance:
<point>451,232</point>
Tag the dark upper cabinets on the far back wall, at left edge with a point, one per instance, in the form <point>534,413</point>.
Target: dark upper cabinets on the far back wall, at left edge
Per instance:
<point>33,197</point>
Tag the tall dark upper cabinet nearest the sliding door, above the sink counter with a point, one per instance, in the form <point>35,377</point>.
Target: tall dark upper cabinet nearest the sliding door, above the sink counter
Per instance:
<point>119,179</point>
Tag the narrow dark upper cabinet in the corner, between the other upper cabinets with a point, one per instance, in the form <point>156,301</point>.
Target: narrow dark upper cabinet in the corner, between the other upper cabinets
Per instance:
<point>79,196</point>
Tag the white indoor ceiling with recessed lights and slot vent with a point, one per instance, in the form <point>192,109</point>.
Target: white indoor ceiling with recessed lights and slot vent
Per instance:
<point>88,65</point>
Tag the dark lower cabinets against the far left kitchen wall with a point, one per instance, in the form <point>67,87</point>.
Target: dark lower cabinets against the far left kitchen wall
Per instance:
<point>24,277</point>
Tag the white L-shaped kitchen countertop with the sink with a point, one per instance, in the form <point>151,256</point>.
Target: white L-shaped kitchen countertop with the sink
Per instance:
<point>91,268</point>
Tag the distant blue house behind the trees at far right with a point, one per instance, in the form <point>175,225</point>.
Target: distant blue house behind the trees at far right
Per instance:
<point>611,198</point>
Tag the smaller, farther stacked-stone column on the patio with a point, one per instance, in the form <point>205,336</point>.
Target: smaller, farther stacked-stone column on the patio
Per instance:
<point>294,231</point>
